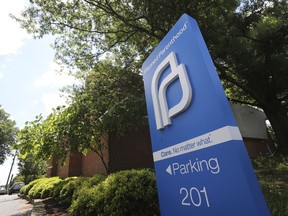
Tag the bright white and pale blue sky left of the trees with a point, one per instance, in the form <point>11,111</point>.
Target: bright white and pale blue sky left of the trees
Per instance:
<point>29,83</point>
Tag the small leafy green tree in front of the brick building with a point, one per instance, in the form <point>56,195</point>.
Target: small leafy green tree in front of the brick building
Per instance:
<point>110,101</point>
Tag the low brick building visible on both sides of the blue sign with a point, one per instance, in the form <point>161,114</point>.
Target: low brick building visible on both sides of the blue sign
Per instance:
<point>135,151</point>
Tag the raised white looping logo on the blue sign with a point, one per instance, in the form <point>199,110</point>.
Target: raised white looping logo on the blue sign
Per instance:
<point>162,113</point>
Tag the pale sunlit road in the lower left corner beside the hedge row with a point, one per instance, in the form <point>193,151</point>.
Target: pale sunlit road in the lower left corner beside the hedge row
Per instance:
<point>12,205</point>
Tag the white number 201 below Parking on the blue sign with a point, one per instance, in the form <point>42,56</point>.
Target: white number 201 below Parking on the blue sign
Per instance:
<point>194,196</point>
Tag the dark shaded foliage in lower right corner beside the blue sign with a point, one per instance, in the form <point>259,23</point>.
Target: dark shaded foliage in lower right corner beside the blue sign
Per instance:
<point>273,177</point>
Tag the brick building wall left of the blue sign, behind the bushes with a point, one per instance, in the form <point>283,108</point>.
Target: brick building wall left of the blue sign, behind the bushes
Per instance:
<point>132,151</point>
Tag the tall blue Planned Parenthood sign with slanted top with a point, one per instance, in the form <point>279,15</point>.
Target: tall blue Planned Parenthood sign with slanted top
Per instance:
<point>202,166</point>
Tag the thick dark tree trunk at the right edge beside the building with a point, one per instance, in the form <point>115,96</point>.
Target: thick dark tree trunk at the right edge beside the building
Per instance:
<point>278,117</point>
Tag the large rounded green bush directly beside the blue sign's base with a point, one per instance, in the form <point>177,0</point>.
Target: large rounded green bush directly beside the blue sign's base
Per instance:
<point>130,192</point>
